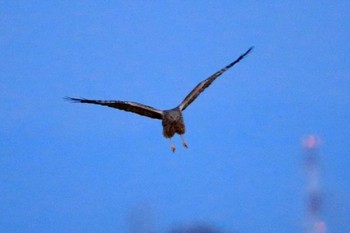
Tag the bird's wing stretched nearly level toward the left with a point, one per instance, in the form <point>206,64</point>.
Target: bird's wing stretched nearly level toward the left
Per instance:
<point>128,106</point>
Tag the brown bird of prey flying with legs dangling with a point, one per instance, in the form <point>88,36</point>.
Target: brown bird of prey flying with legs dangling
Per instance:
<point>172,120</point>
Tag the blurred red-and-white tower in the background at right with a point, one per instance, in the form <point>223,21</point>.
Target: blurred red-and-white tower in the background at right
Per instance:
<point>313,188</point>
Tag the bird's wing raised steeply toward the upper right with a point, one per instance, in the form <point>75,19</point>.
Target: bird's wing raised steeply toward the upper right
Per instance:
<point>204,84</point>
